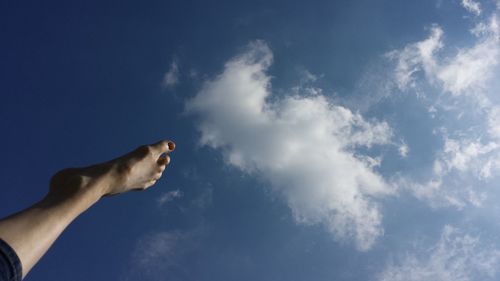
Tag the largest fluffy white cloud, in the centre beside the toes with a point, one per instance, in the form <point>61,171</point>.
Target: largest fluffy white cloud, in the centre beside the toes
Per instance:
<point>305,146</point>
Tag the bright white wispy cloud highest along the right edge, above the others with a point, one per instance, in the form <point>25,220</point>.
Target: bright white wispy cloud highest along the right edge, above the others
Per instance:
<point>466,72</point>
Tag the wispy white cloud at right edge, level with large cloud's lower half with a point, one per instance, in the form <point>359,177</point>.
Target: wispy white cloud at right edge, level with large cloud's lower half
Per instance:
<point>458,171</point>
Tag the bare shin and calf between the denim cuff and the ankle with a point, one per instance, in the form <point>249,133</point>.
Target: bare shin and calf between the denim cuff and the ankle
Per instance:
<point>32,231</point>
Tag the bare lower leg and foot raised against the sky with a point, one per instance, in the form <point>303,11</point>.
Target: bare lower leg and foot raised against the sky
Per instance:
<point>32,231</point>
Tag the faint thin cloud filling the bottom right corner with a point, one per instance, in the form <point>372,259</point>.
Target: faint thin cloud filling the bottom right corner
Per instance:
<point>455,257</point>
